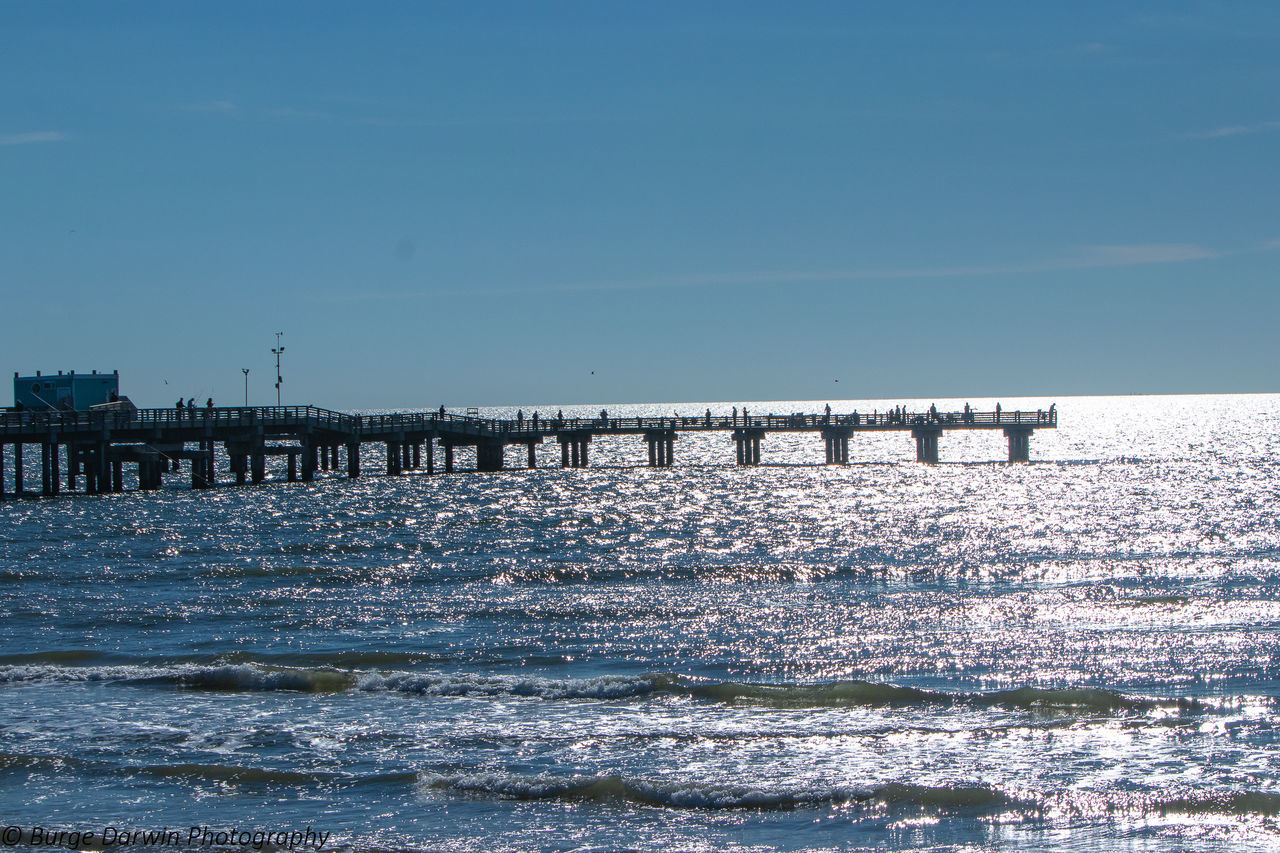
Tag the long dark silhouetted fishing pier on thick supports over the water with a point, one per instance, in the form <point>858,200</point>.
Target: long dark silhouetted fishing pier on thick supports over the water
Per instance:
<point>86,451</point>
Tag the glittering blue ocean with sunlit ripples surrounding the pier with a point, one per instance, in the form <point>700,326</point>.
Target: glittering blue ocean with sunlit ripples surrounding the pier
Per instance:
<point>1077,654</point>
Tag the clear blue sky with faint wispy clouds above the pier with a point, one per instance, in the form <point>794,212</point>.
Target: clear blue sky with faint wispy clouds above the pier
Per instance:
<point>560,203</point>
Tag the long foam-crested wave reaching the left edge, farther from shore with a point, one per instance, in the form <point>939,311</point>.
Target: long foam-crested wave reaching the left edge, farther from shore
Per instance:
<point>830,695</point>
